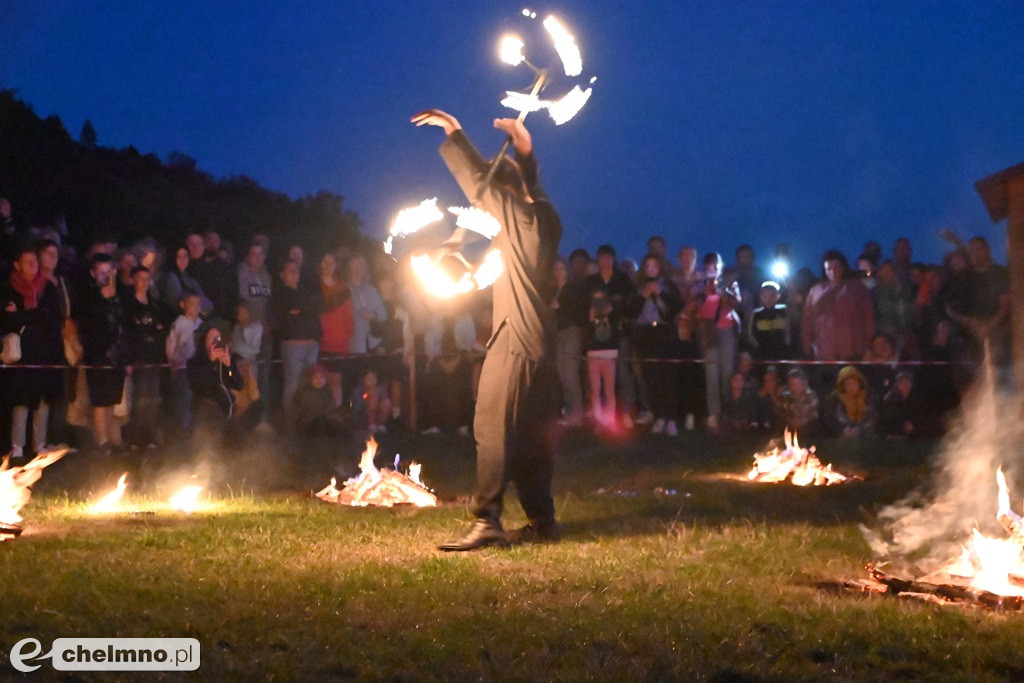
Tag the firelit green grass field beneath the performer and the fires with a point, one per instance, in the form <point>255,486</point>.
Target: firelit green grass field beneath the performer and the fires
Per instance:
<point>717,579</point>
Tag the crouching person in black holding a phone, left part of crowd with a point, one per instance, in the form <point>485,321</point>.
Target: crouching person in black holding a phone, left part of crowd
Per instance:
<point>216,381</point>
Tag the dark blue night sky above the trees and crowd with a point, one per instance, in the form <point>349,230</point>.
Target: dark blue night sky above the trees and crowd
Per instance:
<point>818,123</point>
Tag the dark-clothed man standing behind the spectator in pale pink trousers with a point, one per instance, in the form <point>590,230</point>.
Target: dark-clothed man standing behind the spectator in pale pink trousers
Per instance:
<point>618,292</point>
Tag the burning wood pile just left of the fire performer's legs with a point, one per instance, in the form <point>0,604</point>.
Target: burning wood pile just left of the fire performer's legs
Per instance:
<point>380,488</point>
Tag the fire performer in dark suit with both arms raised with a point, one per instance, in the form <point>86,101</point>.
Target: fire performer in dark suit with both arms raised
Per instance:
<point>519,391</point>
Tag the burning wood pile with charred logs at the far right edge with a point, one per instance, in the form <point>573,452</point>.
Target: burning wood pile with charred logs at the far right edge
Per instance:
<point>990,572</point>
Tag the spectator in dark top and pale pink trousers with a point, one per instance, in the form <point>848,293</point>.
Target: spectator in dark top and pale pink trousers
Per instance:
<point>603,354</point>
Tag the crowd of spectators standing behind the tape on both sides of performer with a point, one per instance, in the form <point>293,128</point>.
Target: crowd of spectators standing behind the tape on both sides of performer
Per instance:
<point>140,345</point>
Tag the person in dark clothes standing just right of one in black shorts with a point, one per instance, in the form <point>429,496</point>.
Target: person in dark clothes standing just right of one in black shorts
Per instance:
<point>146,330</point>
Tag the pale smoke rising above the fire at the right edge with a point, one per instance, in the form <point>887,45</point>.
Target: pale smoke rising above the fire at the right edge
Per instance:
<point>929,527</point>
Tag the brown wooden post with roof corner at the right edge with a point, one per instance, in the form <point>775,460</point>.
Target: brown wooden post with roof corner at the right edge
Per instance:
<point>1004,197</point>
